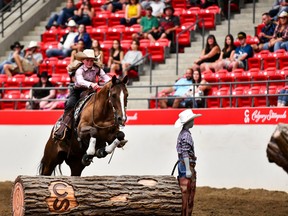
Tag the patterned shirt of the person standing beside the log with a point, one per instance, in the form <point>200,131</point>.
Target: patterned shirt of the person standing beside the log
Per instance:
<point>185,145</point>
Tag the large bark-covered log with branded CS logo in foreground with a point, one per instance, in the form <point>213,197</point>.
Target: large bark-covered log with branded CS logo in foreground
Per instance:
<point>96,195</point>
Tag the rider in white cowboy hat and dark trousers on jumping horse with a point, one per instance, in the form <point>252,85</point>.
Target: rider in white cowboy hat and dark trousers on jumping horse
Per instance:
<point>86,77</point>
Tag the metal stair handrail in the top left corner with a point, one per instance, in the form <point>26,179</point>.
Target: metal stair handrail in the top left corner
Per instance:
<point>16,10</point>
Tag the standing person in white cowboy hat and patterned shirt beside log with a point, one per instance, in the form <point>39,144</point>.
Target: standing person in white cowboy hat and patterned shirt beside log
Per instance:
<point>186,160</point>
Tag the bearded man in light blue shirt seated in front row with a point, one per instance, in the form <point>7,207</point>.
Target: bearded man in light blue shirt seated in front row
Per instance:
<point>179,89</point>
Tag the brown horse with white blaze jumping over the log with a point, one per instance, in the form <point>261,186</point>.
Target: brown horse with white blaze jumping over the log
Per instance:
<point>99,125</point>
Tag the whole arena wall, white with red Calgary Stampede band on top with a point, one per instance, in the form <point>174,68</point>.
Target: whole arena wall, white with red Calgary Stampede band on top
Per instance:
<point>230,145</point>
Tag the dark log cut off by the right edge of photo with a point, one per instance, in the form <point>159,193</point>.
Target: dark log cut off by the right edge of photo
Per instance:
<point>277,149</point>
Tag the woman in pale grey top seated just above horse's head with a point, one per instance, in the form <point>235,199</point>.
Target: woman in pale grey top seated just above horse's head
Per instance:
<point>132,57</point>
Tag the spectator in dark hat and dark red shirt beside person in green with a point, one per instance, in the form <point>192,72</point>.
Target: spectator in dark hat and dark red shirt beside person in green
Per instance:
<point>167,26</point>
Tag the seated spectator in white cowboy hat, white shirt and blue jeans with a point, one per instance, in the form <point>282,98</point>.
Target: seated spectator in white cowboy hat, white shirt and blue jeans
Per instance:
<point>66,42</point>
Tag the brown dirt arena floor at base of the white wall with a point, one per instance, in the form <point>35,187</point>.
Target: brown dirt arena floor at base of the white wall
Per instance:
<point>208,202</point>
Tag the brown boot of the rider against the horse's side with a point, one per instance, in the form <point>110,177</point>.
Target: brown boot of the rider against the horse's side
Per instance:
<point>65,125</point>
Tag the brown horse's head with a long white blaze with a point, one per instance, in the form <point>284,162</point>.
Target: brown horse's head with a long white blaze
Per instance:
<point>118,97</point>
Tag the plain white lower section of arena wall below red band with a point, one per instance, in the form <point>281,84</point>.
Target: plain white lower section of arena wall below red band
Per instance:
<point>228,155</point>
